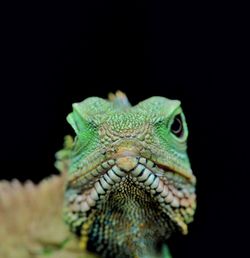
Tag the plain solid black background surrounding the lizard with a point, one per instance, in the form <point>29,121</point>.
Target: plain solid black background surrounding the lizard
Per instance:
<point>57,54</point>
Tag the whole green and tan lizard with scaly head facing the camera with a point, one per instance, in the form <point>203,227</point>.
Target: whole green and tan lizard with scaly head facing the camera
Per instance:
<point>126,182</point>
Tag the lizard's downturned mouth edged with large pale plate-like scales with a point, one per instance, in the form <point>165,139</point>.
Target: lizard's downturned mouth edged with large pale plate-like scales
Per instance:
<point>174,192</point>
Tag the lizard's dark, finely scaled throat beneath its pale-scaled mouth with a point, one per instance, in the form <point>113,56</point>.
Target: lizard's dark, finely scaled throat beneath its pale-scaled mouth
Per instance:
<point>128,225</point>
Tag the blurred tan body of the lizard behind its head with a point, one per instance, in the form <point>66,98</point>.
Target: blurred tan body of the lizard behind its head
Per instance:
<point>31,224</point>
